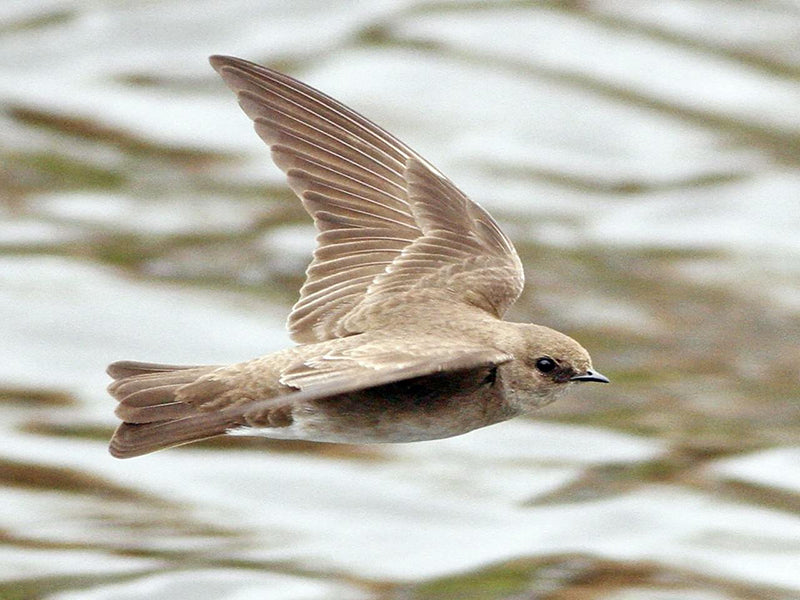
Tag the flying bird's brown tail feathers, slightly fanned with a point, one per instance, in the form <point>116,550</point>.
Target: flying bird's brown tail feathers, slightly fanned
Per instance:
<point>153,416</point>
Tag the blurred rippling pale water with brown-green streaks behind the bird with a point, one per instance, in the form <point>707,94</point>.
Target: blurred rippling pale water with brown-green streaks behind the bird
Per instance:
<point>644,158</point>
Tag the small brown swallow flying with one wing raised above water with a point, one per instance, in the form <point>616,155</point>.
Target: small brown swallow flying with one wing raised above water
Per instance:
<point>399,331</point>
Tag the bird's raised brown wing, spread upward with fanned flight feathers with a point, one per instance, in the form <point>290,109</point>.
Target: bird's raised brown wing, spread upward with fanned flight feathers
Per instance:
<point>387,219</point>
